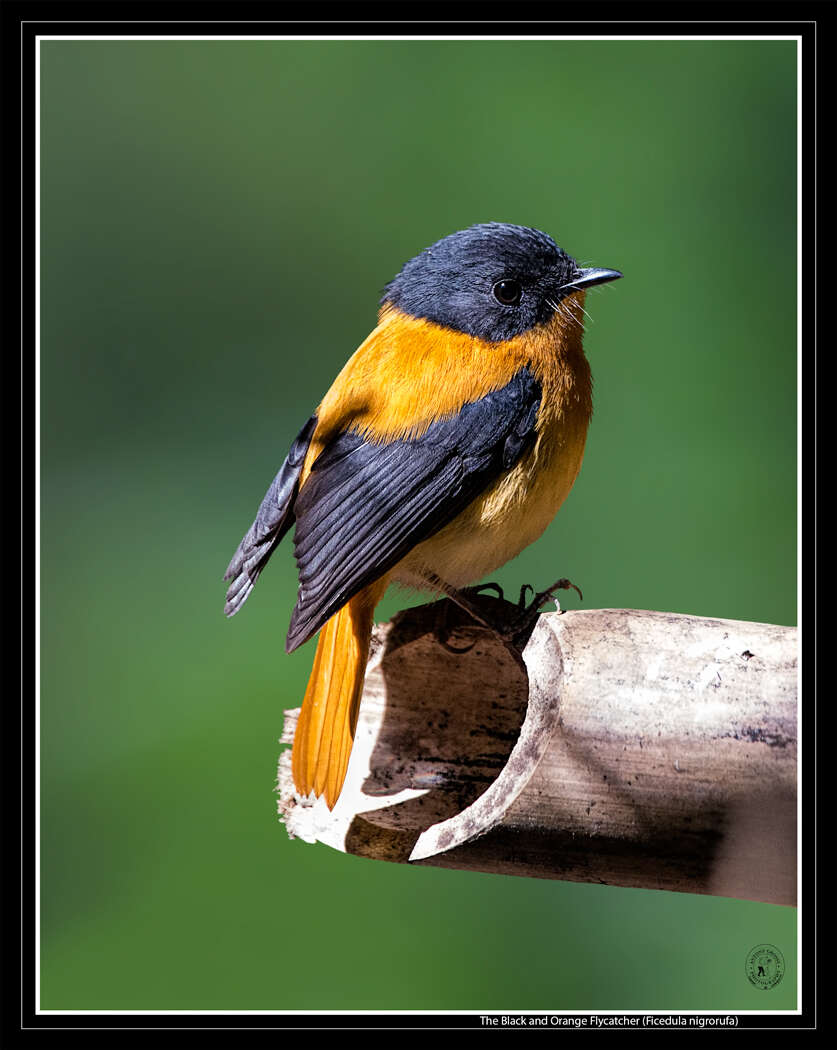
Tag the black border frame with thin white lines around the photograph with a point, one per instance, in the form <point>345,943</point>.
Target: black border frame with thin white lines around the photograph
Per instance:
<point>22,25</point>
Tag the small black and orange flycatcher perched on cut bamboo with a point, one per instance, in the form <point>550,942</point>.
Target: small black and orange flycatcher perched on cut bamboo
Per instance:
<point>445,447</point>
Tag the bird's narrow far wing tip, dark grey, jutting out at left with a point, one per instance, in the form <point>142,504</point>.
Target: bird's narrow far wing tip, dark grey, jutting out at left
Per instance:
<point>275,518</point>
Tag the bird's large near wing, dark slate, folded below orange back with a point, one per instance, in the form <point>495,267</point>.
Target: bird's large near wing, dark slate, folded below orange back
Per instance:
<point>366,506</point>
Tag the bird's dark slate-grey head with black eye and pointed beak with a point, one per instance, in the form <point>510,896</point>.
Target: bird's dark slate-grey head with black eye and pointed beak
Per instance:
<point>494,281</point>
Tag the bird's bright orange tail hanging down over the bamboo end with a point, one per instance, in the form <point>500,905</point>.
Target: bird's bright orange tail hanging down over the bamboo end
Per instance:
<point>326,729</point>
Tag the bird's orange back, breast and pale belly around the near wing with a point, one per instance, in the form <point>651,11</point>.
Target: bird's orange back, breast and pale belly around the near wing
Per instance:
<point>410,373</point>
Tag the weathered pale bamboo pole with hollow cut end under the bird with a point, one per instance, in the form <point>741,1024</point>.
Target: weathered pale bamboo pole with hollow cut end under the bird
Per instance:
<point>622,747</point>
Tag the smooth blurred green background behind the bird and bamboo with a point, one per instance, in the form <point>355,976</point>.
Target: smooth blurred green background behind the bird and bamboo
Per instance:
<point>218,222</point>
